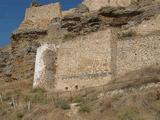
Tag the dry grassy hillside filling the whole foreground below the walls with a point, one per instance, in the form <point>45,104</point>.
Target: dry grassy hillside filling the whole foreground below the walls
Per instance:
<point>130,104</point>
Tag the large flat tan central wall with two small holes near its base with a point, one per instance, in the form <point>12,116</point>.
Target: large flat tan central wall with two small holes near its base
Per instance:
<point>84,62</point>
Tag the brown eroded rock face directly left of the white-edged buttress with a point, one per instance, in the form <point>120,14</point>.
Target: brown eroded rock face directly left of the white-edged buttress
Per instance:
<point>24,47</point>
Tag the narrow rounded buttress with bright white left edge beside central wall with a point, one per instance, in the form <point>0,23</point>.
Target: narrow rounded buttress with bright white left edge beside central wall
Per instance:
<point>45,66</point>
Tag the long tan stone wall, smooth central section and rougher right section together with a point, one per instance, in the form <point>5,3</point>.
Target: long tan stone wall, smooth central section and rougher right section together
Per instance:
<point>100,57</point>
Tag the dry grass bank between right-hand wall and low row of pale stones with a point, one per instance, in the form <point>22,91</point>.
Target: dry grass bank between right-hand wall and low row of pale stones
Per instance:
<point>135,79</point>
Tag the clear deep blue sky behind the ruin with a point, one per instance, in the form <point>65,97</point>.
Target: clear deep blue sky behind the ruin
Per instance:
<point>12,13</point>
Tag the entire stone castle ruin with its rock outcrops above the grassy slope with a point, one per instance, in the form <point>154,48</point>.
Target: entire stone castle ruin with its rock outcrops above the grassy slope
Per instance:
<point>91,45</point>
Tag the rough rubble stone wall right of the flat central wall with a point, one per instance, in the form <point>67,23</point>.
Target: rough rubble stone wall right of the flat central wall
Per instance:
<point>137,53</point>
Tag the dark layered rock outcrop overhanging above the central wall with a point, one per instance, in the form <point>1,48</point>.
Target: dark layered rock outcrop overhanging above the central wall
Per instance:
<point>109,17</point>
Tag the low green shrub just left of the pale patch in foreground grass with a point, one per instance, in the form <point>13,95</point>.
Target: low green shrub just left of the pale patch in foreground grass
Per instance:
<point>60,103</point>
